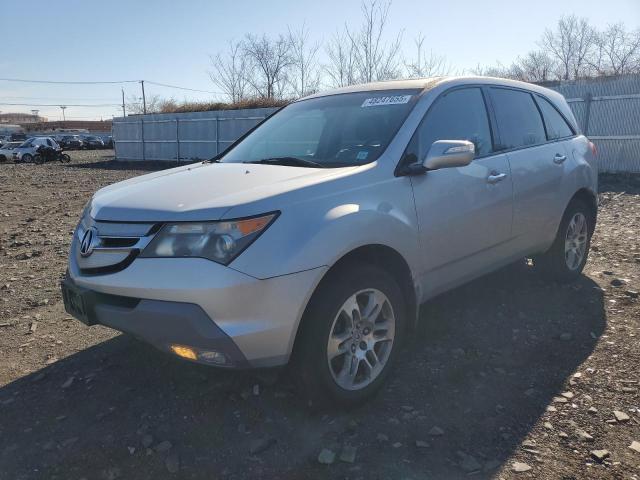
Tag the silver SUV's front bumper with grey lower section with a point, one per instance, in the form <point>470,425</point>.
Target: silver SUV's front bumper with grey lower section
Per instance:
<point>198,303</point>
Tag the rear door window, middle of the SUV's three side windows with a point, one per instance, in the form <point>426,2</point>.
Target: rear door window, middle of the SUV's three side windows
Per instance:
<point>519,121</point>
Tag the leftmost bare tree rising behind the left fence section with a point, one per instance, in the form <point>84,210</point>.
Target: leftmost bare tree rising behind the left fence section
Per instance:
<point>230,71</point>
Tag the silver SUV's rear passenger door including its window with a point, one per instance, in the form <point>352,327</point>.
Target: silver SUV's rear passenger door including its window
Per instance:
<point>537,165</point>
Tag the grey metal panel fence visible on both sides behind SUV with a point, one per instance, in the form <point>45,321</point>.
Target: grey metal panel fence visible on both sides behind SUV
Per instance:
<point>607,110</point>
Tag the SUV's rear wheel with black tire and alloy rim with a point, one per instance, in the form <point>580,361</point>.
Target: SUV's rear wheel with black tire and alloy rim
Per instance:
<point>566,258</point>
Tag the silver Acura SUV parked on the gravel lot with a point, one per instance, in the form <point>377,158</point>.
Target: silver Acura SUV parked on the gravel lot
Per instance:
<point>314,238</point>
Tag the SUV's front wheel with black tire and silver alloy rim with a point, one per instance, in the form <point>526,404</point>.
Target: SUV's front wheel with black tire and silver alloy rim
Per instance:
<point>354,341</point>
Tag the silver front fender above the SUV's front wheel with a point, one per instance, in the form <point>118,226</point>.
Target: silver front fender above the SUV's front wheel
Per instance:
<point>319,232</point>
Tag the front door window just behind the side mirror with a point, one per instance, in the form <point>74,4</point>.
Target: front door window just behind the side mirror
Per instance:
<point>457,115</point>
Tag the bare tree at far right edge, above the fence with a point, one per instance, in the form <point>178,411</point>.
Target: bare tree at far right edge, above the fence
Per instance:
<point>617,51</point>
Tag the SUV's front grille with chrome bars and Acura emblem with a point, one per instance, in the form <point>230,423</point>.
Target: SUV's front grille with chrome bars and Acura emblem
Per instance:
<point>113,247</point>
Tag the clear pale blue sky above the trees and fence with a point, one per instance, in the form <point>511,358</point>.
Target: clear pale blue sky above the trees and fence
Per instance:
<point>170,41</point>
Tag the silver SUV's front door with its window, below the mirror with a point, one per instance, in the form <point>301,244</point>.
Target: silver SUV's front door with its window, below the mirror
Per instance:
<point>464,213</point>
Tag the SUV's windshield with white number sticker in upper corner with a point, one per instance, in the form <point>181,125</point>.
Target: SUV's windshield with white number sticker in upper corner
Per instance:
<point>332,131</point>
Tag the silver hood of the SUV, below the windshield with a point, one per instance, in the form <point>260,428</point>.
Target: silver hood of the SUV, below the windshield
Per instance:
<point>200,191</point>
